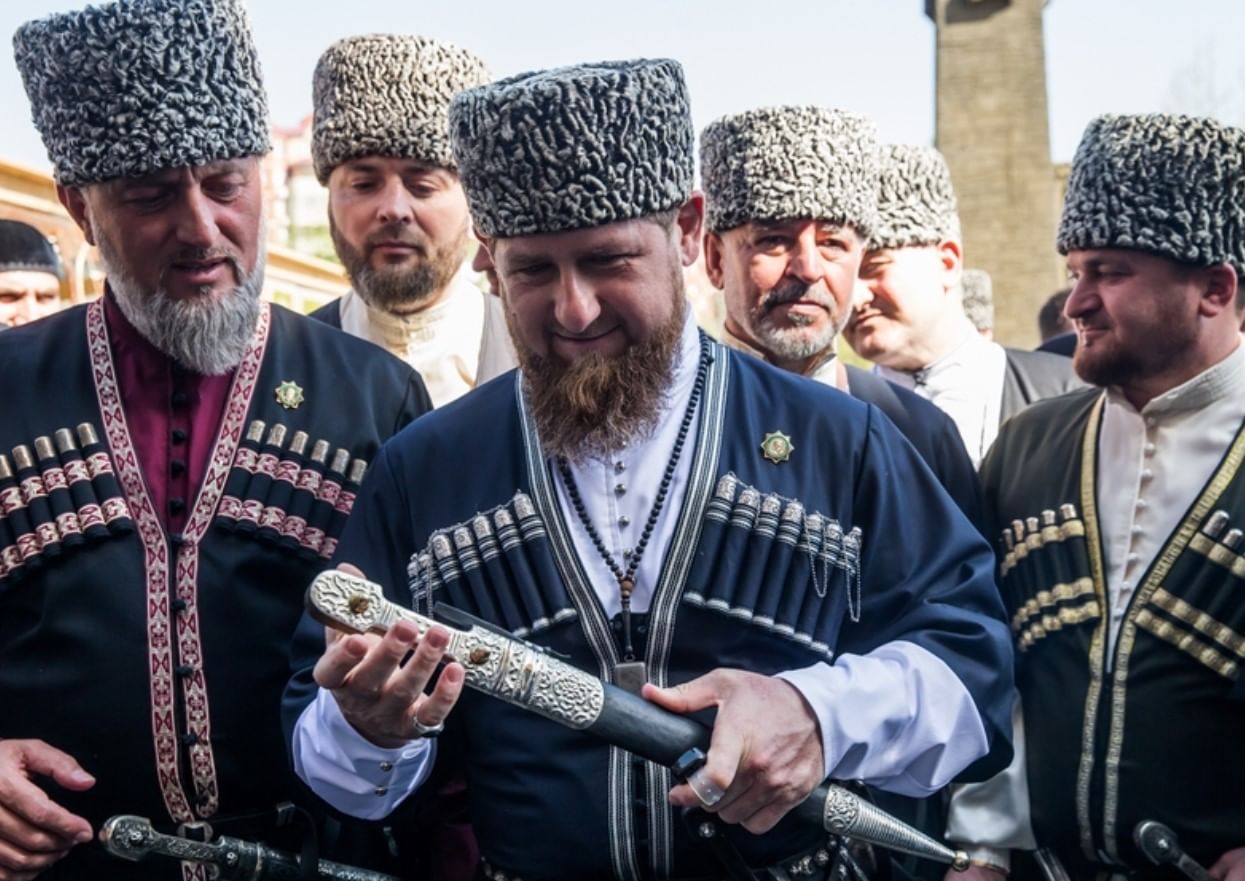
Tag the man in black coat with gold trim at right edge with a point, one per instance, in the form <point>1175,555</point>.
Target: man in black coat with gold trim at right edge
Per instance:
<point>1131,619</point>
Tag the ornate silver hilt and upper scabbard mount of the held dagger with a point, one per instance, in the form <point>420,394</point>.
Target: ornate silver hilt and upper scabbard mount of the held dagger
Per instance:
<point>495,664</point>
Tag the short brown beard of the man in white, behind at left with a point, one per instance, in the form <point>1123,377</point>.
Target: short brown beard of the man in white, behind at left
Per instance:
<point>400,289</point>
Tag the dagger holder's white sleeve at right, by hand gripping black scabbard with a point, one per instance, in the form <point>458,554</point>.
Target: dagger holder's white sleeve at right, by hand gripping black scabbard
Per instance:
<point>897,719</point>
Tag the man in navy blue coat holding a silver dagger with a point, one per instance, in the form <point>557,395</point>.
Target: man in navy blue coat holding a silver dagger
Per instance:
<point>618,502</point>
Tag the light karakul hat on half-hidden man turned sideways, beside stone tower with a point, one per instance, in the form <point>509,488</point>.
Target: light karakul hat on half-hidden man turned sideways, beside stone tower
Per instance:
<point>916,200</point>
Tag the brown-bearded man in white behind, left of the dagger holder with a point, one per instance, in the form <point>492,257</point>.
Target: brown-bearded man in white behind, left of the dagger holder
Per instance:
<point>397,211</point>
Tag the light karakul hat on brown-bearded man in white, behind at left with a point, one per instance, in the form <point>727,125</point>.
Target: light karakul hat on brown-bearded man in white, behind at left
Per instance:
<point>388,95</point>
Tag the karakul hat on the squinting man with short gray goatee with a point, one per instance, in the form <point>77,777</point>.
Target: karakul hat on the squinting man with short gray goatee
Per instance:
<point>791,162</point>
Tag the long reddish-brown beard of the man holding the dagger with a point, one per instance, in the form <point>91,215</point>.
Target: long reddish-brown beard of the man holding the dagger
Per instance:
<point>598,405</point>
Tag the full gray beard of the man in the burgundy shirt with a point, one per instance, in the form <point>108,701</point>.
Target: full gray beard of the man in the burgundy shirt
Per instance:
<point>209,339</point>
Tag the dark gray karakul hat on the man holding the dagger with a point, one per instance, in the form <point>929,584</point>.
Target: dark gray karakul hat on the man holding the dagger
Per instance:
<point>575,147</point>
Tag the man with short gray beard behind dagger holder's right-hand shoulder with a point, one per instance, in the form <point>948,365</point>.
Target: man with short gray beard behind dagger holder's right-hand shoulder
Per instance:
<point>790,202</point>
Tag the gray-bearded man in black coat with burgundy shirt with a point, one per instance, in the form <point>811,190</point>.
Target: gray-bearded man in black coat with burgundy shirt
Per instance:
<point>176,466</point>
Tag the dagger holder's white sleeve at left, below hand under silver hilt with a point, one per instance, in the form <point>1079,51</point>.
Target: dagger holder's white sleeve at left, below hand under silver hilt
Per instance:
<point>349,772</point>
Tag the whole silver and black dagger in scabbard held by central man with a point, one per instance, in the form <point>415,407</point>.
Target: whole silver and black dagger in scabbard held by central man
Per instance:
<point>526,676</point>
